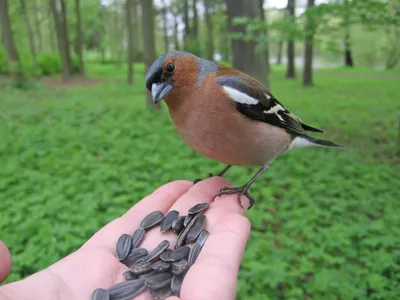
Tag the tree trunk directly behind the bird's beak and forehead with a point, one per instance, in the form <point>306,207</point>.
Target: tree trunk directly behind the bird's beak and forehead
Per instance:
<point>148,42</point>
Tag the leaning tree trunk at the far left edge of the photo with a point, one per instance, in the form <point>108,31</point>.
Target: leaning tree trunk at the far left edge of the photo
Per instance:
<point>8,39</point>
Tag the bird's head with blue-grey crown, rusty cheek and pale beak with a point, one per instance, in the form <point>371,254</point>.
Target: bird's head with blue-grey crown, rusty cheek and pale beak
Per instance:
<point>174,70</point>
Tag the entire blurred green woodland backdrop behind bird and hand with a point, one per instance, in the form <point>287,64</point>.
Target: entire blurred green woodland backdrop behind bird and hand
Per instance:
<point>81,142</point>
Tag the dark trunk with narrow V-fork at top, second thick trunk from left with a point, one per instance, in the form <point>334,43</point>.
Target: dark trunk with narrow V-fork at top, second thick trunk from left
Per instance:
<point>62,37</point>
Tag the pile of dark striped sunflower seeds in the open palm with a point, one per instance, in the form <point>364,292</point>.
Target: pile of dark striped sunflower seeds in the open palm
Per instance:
<point>162,270</point>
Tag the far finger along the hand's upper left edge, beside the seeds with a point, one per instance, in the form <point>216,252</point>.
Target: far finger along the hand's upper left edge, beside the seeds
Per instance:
<point>161,199</point>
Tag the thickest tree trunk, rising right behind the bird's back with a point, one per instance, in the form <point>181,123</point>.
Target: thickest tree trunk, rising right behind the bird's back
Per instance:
<point>245,57</point>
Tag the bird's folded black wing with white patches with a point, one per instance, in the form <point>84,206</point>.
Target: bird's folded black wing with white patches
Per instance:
<point>255,102</point>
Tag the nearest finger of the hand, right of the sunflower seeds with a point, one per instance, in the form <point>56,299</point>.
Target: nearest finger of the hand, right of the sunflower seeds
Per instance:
<point>214,275</point>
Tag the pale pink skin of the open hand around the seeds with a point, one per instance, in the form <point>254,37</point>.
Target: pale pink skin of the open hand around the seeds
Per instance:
<point>94,265</point>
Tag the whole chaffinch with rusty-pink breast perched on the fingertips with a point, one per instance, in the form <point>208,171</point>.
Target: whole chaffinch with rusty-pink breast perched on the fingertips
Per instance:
<point>226,115</point>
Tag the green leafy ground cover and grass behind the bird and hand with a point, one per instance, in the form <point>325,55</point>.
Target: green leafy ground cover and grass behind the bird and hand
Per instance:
<point>326,223</point>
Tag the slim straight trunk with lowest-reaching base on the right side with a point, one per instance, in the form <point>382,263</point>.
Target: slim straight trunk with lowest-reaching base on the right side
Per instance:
<point>308,47</point>
